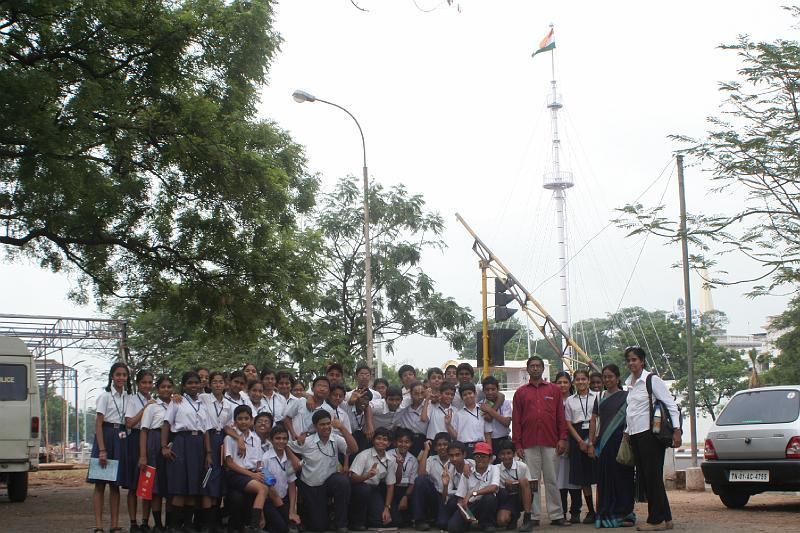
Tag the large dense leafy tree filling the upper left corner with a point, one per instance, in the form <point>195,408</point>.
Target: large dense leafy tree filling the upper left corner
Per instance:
<point>130,153</point>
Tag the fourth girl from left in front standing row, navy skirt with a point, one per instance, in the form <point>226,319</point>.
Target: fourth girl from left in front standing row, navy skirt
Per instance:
<point>189,453</point>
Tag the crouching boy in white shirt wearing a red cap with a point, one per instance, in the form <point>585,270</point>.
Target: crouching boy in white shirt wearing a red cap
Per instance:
<point>478,492</point>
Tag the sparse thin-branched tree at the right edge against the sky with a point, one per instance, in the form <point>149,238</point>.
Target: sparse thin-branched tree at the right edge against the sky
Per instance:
<point>752,151</point>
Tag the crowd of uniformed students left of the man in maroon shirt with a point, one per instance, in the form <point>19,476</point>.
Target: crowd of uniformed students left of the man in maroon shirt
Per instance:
<point>225,443</point>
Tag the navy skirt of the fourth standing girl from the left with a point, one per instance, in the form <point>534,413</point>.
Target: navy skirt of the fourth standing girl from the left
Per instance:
<point>185,472</point>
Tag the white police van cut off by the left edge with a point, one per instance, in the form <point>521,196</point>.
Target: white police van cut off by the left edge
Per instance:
<point>19,417</point>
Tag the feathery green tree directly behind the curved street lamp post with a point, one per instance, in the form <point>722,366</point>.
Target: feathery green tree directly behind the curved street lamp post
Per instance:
<point>405,298</point>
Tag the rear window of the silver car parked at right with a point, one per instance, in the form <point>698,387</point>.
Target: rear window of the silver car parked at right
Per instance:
<point>761,407</point>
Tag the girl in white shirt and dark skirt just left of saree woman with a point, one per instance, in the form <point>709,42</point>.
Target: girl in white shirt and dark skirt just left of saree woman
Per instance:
<point>582,465</point>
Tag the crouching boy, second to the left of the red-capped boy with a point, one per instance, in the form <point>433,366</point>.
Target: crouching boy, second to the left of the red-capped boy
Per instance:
<point>430,491</point>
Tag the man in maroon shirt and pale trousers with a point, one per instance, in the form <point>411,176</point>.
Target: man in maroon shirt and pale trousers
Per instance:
<point>540,435</point>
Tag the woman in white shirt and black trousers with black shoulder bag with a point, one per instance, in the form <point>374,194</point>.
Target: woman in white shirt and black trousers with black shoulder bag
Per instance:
<point>647,449</point>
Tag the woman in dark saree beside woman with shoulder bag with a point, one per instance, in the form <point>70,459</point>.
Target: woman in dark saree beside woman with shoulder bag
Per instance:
<point>615,485</point>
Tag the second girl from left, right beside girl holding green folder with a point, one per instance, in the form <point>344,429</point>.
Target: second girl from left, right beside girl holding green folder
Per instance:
<point>134,409</point>
